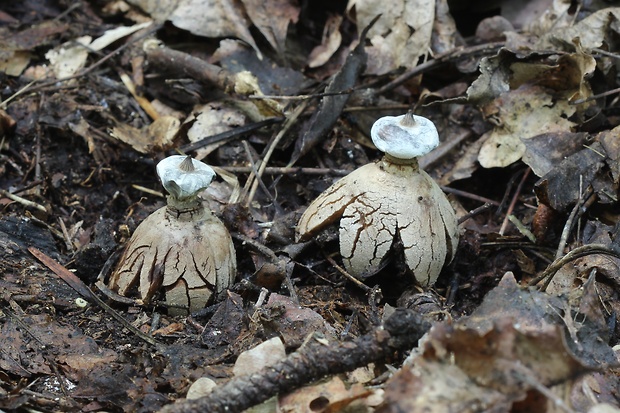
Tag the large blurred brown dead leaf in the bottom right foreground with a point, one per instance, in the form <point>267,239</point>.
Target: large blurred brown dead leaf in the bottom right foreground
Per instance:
<point>513,345</point>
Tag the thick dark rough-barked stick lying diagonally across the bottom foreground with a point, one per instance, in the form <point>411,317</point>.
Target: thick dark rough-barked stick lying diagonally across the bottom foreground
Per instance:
<point>316,359</point>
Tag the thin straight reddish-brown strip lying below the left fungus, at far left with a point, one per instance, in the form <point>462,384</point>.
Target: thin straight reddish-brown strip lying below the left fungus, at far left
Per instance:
<point>77,284</point>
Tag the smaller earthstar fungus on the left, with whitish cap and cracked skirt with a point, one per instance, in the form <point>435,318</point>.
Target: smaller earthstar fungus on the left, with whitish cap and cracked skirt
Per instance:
<point>181,252</point>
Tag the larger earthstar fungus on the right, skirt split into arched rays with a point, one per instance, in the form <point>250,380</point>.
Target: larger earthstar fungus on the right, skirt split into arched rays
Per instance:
<point>388,201</point>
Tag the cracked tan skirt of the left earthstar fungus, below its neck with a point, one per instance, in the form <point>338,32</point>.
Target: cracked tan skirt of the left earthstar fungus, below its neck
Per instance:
<point>191,257</point>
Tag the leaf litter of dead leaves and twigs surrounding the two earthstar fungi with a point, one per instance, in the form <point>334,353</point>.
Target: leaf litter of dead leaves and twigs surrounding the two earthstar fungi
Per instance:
<point>290,91</point>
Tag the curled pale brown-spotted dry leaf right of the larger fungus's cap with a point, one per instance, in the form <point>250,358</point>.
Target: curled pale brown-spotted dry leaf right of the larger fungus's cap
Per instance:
<point>526,97</point>
